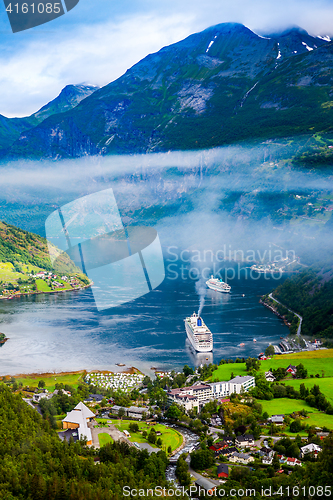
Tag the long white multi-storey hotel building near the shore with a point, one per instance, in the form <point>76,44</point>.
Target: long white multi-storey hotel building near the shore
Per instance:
<point>197,395</point>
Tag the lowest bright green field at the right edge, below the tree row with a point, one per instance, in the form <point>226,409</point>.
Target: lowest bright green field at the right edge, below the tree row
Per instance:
<point>286,406</point>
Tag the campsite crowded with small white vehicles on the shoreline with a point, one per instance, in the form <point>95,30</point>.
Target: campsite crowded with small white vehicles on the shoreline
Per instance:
<point>124,381</point>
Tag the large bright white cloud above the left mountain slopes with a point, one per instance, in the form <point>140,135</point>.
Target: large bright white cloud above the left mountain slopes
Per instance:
<point>35,73</point>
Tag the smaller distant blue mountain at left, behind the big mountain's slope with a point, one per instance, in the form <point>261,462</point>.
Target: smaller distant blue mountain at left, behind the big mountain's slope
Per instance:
<point>69,97</point>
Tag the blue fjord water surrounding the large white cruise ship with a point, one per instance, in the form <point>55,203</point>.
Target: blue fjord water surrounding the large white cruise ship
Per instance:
<point>65,332</point>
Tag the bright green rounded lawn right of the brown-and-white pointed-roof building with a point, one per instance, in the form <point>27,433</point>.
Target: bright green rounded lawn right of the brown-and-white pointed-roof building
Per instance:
<point>170,437</point>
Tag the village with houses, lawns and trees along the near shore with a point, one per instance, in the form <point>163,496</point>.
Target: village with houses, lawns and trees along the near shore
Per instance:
<point>213,426</point>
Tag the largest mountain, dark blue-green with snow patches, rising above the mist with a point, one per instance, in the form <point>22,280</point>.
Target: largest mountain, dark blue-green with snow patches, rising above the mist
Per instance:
<point>222,85</point>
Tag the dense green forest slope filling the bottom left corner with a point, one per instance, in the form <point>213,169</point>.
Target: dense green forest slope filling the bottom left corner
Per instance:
<point>37,465</point>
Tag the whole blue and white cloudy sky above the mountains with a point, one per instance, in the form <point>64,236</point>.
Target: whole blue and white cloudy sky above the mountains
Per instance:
<point>98,40</point>
